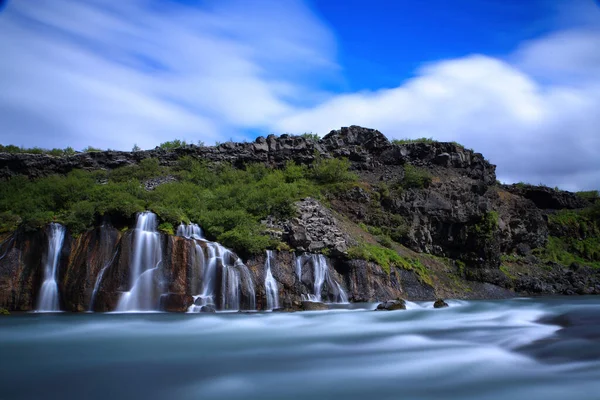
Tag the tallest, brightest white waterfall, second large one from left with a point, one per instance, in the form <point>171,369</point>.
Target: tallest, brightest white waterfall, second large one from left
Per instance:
<point>147,257</point>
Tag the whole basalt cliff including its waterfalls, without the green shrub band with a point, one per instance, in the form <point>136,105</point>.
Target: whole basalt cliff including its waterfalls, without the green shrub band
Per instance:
<point>452,229</point>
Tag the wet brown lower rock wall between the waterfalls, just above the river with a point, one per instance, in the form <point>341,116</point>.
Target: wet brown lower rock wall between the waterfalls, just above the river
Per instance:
<point>94,270</point>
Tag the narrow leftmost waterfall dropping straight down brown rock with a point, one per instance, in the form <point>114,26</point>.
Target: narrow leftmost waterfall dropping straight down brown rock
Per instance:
<point>48,300</point>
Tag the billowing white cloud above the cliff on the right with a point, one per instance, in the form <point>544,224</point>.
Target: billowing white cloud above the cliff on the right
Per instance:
<point>535,130</point>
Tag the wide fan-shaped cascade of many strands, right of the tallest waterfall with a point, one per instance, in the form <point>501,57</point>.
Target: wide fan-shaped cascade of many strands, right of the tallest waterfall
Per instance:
<point>222,276</point>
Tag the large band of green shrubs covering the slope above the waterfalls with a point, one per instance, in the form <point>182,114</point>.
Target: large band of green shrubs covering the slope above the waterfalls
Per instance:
<point>228,203</point>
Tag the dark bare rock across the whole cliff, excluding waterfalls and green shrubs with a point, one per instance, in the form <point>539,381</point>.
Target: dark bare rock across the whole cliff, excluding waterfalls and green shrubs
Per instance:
<point>459,212</point>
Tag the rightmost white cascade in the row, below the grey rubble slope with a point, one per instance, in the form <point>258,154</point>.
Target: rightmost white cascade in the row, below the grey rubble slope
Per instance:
<point>321,275</point>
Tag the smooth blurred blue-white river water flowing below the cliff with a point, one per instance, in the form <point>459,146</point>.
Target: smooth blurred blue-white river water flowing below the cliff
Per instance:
<point>510,349</point>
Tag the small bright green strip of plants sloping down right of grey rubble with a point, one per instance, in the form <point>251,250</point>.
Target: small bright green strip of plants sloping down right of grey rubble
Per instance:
<point>387,258</point>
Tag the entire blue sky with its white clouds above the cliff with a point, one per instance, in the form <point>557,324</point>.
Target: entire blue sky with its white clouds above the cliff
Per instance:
<point>516,80</point>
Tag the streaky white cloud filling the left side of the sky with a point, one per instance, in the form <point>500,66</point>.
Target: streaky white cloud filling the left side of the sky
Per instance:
<point>114,74</point>
